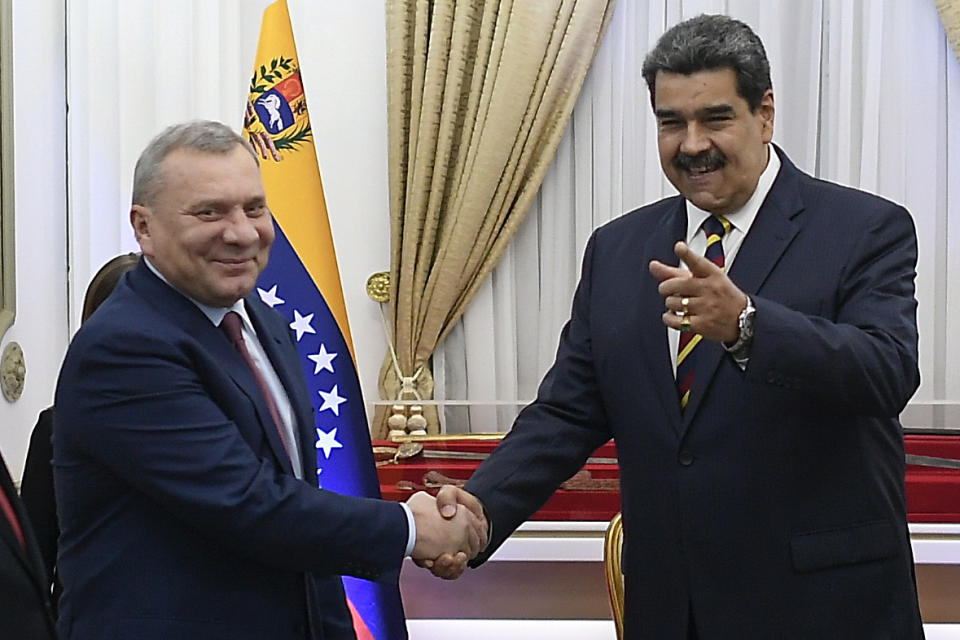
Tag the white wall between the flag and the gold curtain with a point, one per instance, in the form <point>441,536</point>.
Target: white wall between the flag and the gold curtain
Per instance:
<point>342,48</point>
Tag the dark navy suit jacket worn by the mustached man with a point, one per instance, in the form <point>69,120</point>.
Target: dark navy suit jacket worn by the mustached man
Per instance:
<point>774,503</point>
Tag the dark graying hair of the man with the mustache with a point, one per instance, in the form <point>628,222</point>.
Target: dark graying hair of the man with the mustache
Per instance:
<point>710,42</point>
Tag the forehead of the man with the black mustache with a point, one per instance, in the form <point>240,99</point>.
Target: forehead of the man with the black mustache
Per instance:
<point>678,91</point>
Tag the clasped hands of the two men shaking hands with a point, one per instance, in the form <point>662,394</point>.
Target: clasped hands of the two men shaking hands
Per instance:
<point>451,530</point>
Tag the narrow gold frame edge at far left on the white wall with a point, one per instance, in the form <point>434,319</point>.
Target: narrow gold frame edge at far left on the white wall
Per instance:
<point>8,262</point>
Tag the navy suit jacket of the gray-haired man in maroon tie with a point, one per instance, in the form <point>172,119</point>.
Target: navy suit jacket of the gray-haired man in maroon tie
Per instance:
<point>180,516</point>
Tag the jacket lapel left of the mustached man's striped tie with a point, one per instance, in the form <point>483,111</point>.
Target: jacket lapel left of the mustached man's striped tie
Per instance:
<point>653,332</point>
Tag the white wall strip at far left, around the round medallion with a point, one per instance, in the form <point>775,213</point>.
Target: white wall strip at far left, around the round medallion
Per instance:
<point>40,191</point>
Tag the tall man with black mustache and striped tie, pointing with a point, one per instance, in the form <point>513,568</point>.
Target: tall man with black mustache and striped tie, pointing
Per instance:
<point>749,344</point>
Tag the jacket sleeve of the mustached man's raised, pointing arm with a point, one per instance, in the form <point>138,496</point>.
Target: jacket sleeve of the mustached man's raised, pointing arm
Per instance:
<point>863,360</point>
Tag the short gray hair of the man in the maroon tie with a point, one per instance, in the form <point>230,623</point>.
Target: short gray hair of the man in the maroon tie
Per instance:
<point>200,135</point>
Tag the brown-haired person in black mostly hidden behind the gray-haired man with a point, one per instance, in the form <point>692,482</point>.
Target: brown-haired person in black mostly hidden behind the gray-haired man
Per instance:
<point>36,486</point>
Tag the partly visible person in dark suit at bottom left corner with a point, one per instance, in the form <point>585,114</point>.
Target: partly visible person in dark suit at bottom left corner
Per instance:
<point>25,609</point>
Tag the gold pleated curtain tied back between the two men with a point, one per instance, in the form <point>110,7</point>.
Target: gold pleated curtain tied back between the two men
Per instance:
<point>479,94</point>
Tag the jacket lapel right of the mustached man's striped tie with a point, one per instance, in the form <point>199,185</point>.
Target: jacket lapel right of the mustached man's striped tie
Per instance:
<point>770,234</point>
